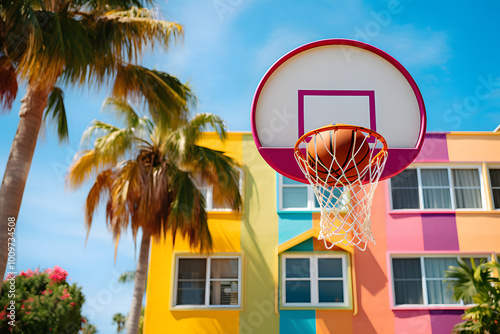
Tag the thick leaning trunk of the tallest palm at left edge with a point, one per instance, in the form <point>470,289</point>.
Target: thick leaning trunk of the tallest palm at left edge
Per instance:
<point>19,162</point>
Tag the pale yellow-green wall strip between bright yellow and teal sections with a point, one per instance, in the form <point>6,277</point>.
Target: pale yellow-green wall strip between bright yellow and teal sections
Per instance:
<point>259,237</point>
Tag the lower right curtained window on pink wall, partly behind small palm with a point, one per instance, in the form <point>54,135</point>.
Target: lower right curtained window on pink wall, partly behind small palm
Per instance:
<point>421,281</point>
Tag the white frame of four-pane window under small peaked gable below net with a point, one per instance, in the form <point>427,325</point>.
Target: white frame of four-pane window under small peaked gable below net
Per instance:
<point>313,278</point>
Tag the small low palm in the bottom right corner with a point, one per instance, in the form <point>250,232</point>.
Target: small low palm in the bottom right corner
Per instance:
<point>478,284</point>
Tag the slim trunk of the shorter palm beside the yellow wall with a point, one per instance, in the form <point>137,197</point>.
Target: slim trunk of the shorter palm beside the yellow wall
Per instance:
<point>139,285</point>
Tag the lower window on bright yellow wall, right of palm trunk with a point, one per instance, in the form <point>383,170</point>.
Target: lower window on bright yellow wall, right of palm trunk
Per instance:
<point>208,282</point>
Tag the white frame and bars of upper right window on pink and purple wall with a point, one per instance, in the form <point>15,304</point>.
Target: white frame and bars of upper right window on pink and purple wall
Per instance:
<point>451,188</point>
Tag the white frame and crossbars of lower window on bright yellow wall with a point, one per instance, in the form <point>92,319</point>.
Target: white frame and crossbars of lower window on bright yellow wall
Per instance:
<point>207,280</point>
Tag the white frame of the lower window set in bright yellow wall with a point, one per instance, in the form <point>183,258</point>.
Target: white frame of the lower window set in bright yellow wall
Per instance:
<point>207,304</point>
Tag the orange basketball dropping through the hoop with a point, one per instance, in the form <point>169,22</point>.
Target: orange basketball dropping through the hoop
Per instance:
<point>351,152</point>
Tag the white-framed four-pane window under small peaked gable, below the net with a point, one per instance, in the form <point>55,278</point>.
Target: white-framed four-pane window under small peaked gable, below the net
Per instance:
<point>314,280</point>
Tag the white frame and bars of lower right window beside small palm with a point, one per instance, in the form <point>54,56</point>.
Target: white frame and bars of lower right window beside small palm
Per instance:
<point>424,279</point>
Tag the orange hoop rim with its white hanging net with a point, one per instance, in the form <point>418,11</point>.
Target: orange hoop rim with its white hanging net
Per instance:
<point>345,201</point>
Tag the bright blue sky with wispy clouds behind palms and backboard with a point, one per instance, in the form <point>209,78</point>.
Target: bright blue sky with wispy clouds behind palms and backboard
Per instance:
<point>450,48</point>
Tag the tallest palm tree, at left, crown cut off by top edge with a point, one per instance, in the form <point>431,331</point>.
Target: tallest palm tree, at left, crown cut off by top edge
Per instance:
<point>49,44</point>
